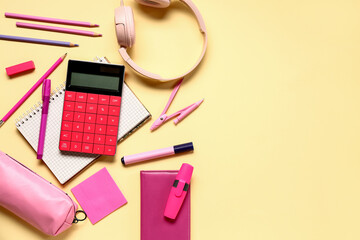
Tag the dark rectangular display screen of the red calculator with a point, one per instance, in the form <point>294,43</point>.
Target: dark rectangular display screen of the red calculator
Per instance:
<point>94,81</point>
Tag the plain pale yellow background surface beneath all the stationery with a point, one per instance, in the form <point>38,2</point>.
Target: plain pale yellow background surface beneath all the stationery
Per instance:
<point>276,139</point>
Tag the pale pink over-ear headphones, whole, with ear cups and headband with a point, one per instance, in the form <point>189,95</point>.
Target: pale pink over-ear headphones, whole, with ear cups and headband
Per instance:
<point>125,32</point>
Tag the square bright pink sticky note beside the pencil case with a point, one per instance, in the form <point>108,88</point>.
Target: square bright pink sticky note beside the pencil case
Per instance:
<point>99,195</point>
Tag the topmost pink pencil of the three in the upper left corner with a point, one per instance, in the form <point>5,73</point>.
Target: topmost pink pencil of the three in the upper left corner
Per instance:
<point>51,20</point>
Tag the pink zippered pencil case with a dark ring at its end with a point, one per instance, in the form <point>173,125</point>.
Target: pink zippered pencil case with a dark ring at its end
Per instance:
<point>34,199</point>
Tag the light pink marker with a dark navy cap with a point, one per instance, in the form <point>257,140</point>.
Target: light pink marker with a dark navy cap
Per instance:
<point>186,147</point>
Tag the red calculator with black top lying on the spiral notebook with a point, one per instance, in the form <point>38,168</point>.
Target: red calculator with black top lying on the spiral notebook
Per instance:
<point>91,112</point>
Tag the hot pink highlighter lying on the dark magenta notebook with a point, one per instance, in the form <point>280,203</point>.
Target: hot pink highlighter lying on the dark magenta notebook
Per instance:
<point>178,191</point>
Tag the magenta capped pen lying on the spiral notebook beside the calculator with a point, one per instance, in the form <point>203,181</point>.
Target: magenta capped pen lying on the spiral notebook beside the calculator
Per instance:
<point>44,113</point>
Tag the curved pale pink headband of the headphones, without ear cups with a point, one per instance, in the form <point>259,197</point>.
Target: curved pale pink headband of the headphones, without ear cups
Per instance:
<point>148,74</point>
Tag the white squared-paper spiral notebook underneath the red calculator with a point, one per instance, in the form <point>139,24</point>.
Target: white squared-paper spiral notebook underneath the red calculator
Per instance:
<point>65,165</point>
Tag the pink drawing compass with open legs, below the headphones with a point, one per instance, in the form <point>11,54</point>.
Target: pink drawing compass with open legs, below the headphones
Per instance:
<point>181,113</point>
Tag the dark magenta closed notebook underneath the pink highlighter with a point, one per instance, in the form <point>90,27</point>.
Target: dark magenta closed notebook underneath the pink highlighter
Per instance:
<point>155,189</point>
